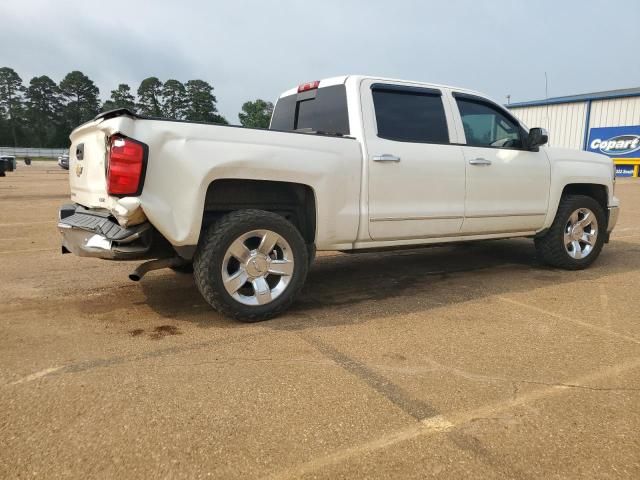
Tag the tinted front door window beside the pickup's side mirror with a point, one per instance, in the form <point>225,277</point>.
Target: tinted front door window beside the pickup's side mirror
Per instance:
<point>487,126</point>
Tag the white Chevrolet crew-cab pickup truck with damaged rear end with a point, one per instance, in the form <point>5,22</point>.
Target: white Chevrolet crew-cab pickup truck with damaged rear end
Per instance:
<point>348,163</point>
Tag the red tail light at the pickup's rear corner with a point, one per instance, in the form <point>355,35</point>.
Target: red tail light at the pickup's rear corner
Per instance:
<point>126,166</point>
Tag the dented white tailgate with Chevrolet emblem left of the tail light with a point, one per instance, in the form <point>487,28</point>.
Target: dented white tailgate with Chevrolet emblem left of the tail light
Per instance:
<point>88,165</point>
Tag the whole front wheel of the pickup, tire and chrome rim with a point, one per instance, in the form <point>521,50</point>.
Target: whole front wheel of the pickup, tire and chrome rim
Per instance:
<point>576,237</point>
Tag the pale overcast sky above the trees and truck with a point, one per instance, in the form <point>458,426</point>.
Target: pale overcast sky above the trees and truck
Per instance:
<point>258,48</point>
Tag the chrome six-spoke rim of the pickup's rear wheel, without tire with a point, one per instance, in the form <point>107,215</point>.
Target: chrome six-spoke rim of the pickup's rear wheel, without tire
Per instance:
<point>257,267</point>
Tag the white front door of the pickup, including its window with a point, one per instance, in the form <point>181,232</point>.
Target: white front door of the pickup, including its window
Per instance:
<point>507,184</point>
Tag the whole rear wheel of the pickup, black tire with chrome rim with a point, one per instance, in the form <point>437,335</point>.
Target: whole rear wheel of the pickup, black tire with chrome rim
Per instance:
<point>251,264</point>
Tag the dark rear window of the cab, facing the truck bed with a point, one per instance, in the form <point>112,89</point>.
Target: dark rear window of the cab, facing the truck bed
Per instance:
<point>322,110</point>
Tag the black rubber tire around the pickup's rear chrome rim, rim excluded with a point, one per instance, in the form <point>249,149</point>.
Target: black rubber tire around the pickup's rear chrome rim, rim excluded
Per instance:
<point>209,257</point>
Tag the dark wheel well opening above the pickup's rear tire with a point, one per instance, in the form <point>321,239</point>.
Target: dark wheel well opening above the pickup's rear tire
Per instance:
<point>294,201</point>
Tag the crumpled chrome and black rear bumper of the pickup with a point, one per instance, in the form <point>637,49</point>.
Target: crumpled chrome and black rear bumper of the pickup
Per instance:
<point>94,233</point>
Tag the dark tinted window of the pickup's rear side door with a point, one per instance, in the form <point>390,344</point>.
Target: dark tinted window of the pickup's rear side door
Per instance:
<point>412,115</point>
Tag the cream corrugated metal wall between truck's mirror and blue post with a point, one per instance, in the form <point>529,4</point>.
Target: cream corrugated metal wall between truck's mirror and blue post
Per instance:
<point>565,122</point>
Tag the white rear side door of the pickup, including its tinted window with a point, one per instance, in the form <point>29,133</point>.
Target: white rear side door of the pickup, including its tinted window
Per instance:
<point>416,177</point>
